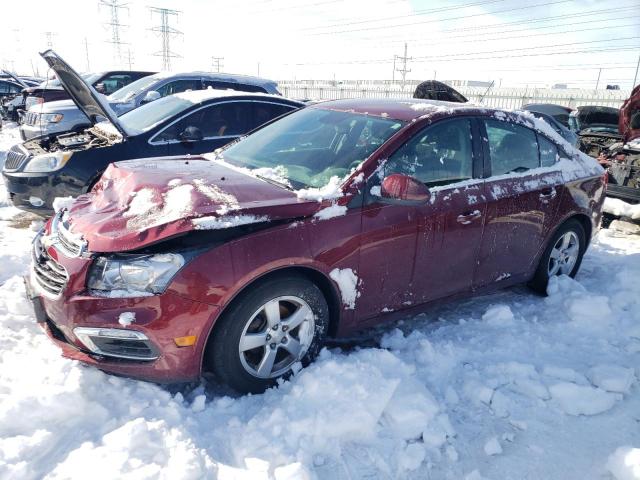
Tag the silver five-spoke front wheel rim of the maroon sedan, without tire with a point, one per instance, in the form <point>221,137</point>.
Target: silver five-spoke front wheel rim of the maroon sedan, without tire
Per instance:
<point>276,336</point>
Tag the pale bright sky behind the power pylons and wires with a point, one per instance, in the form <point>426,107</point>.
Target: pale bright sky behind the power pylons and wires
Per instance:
<point>501,40</point>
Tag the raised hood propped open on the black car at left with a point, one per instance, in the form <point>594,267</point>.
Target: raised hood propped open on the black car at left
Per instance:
<point>83,94</point>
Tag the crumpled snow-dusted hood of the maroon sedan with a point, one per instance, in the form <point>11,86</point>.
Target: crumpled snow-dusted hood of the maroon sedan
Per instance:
<point>142,202</point>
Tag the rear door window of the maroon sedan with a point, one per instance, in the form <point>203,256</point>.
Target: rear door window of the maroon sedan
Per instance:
<point>513,148</point>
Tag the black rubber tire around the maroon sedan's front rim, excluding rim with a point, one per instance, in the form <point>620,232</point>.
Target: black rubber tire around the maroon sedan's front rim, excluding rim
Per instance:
<point>222,355</point>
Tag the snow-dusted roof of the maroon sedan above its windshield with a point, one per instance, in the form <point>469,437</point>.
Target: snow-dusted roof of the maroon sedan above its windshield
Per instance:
<point>405,109</point>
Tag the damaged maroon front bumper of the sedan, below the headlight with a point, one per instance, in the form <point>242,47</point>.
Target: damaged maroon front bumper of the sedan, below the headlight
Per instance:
<point>160,318</point>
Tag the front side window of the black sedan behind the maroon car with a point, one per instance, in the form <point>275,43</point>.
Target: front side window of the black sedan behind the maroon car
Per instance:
<point>221,120</point>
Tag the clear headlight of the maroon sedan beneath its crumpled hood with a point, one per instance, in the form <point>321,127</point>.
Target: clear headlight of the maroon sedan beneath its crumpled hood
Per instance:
<point>133,275</point>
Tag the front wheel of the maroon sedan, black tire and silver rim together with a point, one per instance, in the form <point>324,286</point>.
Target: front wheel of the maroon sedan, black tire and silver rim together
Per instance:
<point>266,331</point>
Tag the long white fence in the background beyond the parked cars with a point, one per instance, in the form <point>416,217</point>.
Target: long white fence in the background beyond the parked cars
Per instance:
<point>508,98</point>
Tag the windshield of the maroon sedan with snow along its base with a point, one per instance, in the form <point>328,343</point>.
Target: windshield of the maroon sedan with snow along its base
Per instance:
<point>312,145</point>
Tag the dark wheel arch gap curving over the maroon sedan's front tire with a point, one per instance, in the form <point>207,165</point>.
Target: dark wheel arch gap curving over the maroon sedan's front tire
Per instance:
<point>322,281</point>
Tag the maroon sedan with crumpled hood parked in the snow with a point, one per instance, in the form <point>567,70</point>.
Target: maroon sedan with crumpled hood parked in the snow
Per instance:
<point>333,218</point>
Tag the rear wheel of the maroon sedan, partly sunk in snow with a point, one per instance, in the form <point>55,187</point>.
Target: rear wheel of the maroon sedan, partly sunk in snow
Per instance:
<point>562,256</point>
